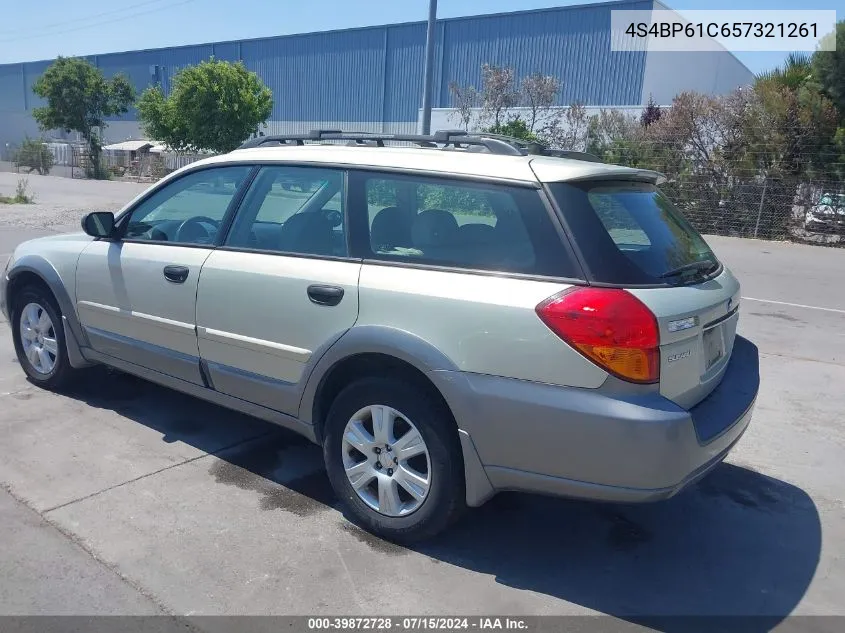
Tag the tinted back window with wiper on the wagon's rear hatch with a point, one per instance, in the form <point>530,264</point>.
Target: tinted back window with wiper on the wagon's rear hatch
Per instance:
<point>630,233</point>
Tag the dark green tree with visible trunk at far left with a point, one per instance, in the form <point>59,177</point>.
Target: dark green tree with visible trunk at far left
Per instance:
<point>79,98</point>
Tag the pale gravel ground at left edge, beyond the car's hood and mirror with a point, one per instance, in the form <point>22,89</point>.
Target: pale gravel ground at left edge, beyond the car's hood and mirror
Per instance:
<point>60,203</point>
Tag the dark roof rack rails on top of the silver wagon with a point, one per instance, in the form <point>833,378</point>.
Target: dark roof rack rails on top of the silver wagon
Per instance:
<point>458,139</point>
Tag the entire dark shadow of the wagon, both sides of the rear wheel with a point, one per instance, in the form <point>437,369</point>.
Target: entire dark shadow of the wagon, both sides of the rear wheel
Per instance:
<point>737,543</point>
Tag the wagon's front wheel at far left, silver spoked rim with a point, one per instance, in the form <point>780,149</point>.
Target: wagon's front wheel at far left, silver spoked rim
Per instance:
<point>28,306</point>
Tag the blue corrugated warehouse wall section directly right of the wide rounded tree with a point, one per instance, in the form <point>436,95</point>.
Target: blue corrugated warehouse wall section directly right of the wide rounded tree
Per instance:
<point>337,75</point>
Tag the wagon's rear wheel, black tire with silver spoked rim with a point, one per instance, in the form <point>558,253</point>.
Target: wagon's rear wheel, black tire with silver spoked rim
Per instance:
<point>393,456</point>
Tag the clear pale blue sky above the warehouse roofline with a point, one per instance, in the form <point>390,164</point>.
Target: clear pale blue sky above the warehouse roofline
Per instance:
<point>42,29</point>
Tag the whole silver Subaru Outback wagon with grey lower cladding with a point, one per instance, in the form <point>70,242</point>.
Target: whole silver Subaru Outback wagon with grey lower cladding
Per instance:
<point>448,316</point>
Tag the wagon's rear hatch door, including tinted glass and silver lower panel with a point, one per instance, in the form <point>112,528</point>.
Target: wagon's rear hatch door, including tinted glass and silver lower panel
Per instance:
<point>629,235</point>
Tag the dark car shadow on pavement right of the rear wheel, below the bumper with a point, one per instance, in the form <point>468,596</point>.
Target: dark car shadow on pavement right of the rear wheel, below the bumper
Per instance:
<point>738,543</point>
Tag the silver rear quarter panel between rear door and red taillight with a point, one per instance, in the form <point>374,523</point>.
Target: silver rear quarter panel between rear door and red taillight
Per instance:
<point>484,324</point>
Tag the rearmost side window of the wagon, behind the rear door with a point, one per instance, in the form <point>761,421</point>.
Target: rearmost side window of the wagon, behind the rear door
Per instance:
<point>455,223</point>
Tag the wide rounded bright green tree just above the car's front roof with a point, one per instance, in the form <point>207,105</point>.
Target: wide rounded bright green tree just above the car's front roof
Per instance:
<point>215,105</point>
